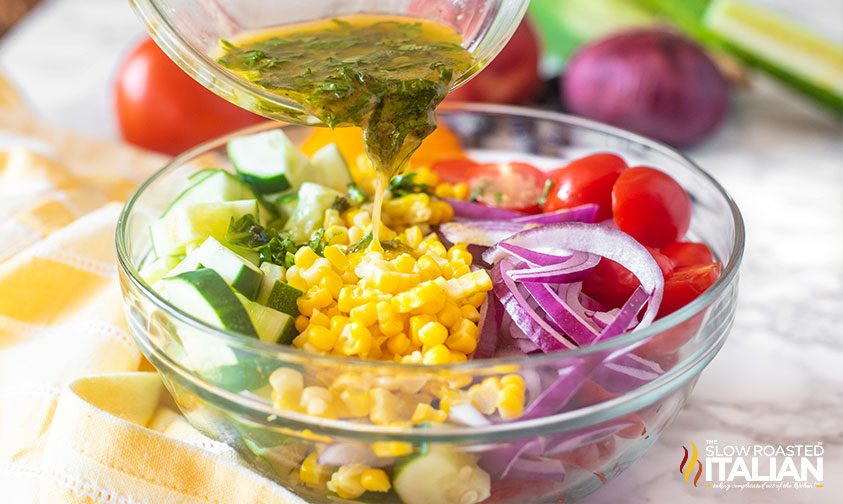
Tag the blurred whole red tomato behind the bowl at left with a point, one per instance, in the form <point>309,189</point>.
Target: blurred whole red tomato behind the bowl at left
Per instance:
<point>161,108</point>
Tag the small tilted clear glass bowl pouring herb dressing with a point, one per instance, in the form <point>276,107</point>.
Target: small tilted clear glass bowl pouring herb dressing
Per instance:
<point>189,31</point>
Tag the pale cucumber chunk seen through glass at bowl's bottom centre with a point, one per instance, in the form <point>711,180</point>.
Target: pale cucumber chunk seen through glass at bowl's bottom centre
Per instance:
<point>442,475</point>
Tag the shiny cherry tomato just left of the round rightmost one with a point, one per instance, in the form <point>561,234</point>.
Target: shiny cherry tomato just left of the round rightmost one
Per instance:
<point>585,180</point>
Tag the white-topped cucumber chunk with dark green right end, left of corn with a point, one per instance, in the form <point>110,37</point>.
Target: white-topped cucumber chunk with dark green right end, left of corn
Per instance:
<point>236,270</point>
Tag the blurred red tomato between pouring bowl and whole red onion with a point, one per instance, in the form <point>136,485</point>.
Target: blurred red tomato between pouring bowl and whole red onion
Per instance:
<point>512,77</point>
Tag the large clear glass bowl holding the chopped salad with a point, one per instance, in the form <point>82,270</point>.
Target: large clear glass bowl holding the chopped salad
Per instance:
<point>219,379</point>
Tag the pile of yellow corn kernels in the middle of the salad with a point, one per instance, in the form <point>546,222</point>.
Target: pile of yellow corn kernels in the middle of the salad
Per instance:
<point>418,303</point>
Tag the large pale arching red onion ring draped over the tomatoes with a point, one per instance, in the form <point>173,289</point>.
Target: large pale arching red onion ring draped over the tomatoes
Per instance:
<point>599,240</point>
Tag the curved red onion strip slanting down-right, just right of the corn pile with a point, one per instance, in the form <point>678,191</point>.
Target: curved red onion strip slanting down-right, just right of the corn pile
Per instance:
<point>531,323</point>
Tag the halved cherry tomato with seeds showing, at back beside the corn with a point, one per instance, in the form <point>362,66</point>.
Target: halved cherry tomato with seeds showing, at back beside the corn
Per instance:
<point>514,186</point>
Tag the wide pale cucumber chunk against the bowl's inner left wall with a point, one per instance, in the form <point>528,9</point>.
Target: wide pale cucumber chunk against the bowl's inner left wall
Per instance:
<point>190,225</point>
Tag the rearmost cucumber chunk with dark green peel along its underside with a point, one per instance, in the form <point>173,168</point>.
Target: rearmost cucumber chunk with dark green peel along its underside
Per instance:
<point>269,161</point>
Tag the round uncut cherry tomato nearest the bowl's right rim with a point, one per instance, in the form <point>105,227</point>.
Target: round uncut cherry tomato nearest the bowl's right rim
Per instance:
<point>650,206</point>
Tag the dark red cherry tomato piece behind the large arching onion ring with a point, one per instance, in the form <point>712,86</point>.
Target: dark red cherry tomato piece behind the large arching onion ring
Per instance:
<point>611,284</point>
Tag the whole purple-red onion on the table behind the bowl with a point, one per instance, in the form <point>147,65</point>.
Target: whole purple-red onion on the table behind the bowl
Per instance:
<point>653,82</point>
